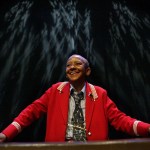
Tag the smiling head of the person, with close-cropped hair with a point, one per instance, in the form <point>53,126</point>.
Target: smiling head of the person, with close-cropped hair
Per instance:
<point>77,68</point>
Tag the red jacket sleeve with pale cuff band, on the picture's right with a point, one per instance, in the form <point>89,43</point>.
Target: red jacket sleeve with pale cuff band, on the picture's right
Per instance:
<point>125,123</point>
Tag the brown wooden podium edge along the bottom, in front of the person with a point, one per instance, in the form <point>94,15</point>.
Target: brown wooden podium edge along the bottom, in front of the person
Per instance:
<point>126,144</point>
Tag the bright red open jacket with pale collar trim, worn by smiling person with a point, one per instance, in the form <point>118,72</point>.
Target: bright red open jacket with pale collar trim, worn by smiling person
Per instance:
<point>100,110</point>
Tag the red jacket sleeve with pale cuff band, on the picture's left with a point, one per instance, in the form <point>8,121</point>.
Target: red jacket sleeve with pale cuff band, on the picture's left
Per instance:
<point>27,116</point>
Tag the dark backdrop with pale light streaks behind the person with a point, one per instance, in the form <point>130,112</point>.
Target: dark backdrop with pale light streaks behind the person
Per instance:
<point>37,37</point>
